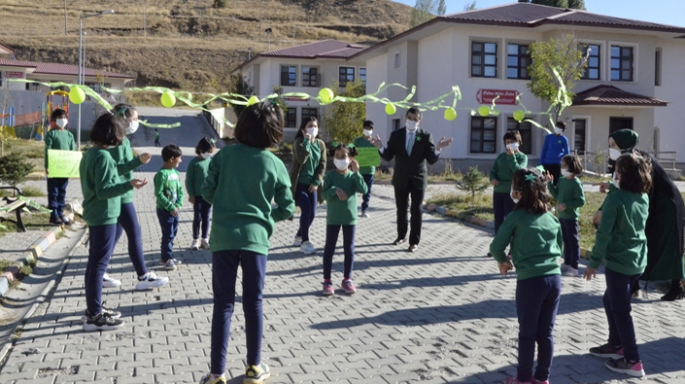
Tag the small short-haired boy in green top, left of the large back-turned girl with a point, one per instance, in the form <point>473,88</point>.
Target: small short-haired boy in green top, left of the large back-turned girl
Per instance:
<point>169,194</point>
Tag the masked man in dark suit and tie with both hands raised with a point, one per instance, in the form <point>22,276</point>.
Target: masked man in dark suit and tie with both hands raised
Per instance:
<point>412,148</point>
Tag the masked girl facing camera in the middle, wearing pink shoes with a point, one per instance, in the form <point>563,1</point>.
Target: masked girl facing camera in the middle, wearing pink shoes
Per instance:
<point>340,192</point>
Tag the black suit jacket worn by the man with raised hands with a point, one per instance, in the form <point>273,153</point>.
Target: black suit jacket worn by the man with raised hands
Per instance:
<point>410,169</point>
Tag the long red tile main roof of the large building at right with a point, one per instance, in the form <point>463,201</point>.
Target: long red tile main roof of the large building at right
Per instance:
<point>533,15</point>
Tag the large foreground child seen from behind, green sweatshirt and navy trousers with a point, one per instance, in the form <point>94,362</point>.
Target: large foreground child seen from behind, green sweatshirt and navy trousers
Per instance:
<point>242,182</point>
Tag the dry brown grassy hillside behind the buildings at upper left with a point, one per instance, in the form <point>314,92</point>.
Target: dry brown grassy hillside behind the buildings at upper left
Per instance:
<point>189,44</point>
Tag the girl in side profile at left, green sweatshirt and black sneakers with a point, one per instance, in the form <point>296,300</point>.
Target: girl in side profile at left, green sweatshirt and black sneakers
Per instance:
<point>102,190</point>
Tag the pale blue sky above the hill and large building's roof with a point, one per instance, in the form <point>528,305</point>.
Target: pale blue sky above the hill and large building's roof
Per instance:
<point>668,12</point>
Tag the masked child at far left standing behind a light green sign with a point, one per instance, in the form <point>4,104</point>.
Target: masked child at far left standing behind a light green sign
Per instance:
<point>58,138</point>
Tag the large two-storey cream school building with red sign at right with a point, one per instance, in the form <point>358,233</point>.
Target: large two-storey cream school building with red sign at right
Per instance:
<point>634,79</point>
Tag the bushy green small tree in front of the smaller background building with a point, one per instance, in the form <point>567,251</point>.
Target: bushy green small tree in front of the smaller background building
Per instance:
<point>343,122</point>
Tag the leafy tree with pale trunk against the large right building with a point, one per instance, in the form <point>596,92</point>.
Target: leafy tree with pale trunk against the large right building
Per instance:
<point>563,55</point>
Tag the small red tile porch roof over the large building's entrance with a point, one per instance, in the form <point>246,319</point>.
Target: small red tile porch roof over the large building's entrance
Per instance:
<point>613,96</point>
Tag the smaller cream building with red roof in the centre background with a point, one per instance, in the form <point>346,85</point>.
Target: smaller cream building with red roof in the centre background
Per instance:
<point>304,68</point>
